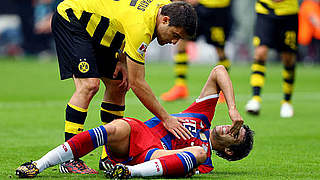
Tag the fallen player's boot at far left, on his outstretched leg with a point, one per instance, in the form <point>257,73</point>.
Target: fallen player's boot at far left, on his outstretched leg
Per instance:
<point>27,170</point>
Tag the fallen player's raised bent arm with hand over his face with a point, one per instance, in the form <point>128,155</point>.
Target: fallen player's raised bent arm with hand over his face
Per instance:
<point>219,80</point>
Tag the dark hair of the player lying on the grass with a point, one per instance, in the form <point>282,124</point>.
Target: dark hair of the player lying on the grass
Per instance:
<point>240,150</point>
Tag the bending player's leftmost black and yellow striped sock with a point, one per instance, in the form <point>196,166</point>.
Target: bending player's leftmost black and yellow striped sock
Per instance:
<point>75,118</point>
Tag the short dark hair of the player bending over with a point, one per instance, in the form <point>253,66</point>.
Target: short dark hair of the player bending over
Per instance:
<point>182,15</point>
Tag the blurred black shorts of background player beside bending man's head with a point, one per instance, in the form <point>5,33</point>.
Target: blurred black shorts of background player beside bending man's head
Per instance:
<point>215,24</point>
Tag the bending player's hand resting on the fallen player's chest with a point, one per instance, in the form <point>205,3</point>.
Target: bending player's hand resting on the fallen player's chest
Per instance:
<point>174,125</point>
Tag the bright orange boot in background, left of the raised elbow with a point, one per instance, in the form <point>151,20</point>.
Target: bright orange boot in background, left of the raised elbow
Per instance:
<point>175,93</point>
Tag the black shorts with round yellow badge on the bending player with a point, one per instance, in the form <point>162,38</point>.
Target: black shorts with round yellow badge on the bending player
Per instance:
<point>78,54</point>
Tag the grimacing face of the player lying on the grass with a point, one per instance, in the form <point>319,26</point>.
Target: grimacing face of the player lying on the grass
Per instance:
<point>222,138</point>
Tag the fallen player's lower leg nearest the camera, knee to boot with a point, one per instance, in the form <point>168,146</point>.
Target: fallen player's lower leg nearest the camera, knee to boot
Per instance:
<point>168,163</point>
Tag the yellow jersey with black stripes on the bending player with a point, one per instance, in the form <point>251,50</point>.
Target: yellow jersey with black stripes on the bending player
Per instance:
<point>135,19</point>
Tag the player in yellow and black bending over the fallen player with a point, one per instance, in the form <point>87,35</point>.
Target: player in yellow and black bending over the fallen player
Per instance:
<point>107,40</point>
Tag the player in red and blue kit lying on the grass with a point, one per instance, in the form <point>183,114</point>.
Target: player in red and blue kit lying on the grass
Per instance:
<point>148,149</point>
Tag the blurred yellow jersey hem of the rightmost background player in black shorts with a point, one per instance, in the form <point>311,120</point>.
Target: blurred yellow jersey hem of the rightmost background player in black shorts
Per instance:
<point>283,8</point>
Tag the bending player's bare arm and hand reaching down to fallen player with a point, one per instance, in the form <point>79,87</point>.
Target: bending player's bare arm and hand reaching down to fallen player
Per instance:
<point>144,92</point>
